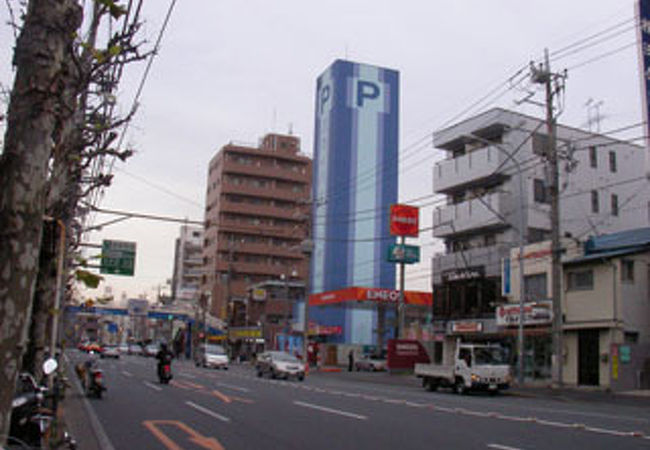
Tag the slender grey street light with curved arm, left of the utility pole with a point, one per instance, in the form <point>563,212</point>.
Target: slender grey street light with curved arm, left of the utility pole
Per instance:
<point>520,329</point>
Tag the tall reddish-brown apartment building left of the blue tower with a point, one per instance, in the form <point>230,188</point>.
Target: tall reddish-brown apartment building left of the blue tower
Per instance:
<point>256,214</point>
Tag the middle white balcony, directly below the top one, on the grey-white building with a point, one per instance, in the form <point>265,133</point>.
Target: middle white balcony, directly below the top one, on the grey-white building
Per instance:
<point>472,215</point>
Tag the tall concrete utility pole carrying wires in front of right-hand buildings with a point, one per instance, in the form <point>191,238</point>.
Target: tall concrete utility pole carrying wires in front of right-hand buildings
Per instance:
<point>553,84</point>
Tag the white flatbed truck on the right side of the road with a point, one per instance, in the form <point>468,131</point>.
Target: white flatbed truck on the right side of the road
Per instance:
<point>476,367</point>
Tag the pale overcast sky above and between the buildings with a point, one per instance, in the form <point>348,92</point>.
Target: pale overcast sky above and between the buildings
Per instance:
<point>236,70</point>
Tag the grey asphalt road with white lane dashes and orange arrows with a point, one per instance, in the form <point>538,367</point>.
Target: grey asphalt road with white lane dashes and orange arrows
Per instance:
<point>235,409</point>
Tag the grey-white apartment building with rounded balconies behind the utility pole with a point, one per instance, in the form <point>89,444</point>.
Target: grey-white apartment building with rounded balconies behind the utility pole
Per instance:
<point>488,209</point>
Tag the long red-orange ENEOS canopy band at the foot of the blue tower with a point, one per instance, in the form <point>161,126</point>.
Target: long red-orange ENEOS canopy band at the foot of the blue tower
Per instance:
<point>361,294</point>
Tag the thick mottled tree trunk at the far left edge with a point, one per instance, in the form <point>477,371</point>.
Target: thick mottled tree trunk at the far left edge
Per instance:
<point>44,43</point>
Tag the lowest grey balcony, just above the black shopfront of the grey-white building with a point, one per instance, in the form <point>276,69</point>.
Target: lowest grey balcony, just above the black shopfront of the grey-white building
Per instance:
<point>487,257</point>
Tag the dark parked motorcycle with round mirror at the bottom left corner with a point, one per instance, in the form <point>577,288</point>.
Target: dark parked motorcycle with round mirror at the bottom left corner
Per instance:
<point>30,419</point>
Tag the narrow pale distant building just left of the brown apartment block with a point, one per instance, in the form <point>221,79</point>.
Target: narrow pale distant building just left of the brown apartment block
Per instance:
<point>188,261</point>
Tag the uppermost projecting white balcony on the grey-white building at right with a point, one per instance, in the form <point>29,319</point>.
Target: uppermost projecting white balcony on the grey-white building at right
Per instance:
<point>472,169</point>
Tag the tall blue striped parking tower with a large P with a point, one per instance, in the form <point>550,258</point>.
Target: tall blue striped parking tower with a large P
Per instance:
<point>355,182</point>
